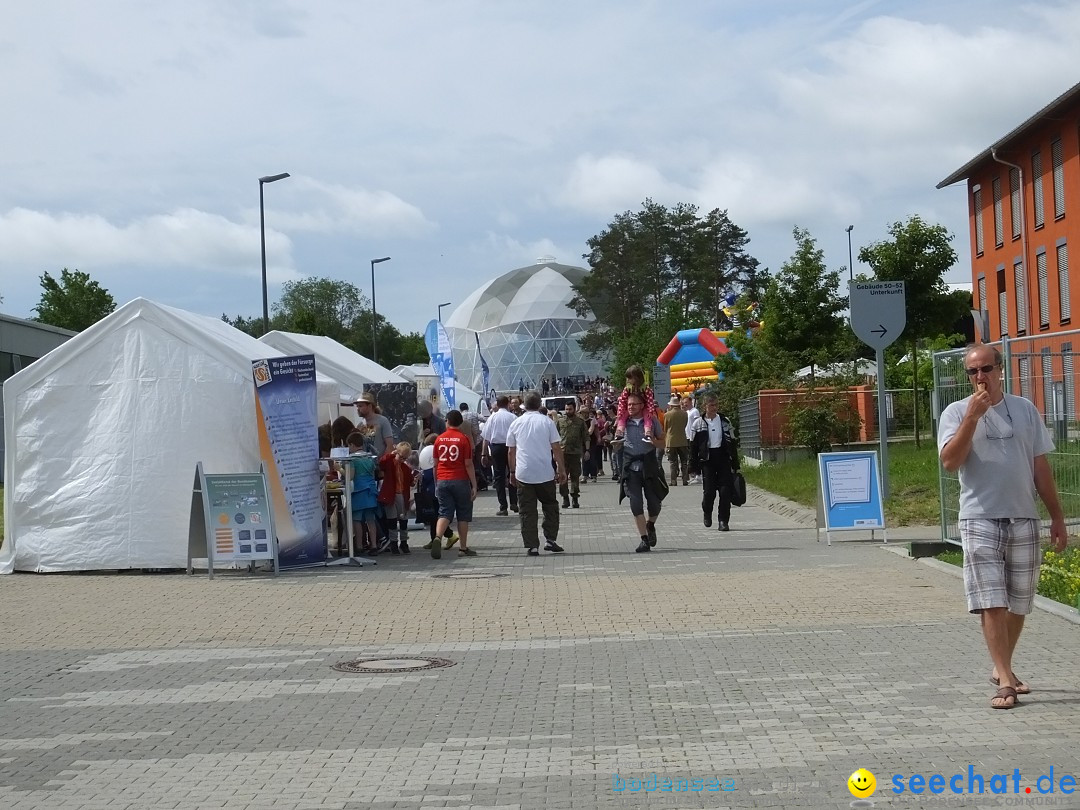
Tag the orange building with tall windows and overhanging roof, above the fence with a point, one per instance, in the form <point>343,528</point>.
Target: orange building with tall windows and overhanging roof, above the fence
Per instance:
<point>1024,218</point>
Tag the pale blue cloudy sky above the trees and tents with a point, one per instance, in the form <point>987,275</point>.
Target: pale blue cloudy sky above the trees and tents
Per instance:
<point>468,139</point>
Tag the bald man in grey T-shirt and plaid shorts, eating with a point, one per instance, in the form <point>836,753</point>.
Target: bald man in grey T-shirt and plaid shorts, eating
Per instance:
<point>1000,444</point>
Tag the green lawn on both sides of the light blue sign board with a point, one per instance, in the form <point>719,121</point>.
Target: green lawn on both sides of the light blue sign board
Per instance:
<point>913,480</point>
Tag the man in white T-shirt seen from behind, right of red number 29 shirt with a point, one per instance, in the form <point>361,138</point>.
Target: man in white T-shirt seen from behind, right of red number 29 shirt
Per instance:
<point>533,441</point>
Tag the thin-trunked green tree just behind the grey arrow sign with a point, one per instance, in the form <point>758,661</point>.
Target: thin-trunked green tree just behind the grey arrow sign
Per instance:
<point>919,254</point>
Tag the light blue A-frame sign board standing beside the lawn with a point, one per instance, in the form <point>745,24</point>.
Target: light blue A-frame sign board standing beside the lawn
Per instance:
<point>852,491</point>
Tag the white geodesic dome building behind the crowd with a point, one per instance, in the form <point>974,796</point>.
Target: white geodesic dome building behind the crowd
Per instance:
<point>526,329</point>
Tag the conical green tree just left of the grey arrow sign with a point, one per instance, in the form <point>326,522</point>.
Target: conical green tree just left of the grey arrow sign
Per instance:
<point>802,322</point>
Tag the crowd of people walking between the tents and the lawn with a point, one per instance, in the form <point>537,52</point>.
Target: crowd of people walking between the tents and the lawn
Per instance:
<point>536,461</point>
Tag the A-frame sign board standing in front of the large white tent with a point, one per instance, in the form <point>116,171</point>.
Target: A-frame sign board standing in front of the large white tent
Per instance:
<point>232,521</point>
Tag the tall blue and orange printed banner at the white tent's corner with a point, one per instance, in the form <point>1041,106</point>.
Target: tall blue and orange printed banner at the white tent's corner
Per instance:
<point>287,411</point>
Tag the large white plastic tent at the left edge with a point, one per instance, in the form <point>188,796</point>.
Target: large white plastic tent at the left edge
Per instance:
<point>104,433</point>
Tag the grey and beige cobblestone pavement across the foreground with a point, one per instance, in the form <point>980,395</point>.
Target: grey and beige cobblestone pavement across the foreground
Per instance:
<point>761,659</point>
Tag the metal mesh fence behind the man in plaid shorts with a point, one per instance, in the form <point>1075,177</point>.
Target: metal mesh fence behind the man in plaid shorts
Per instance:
<point>1038,369</point>
